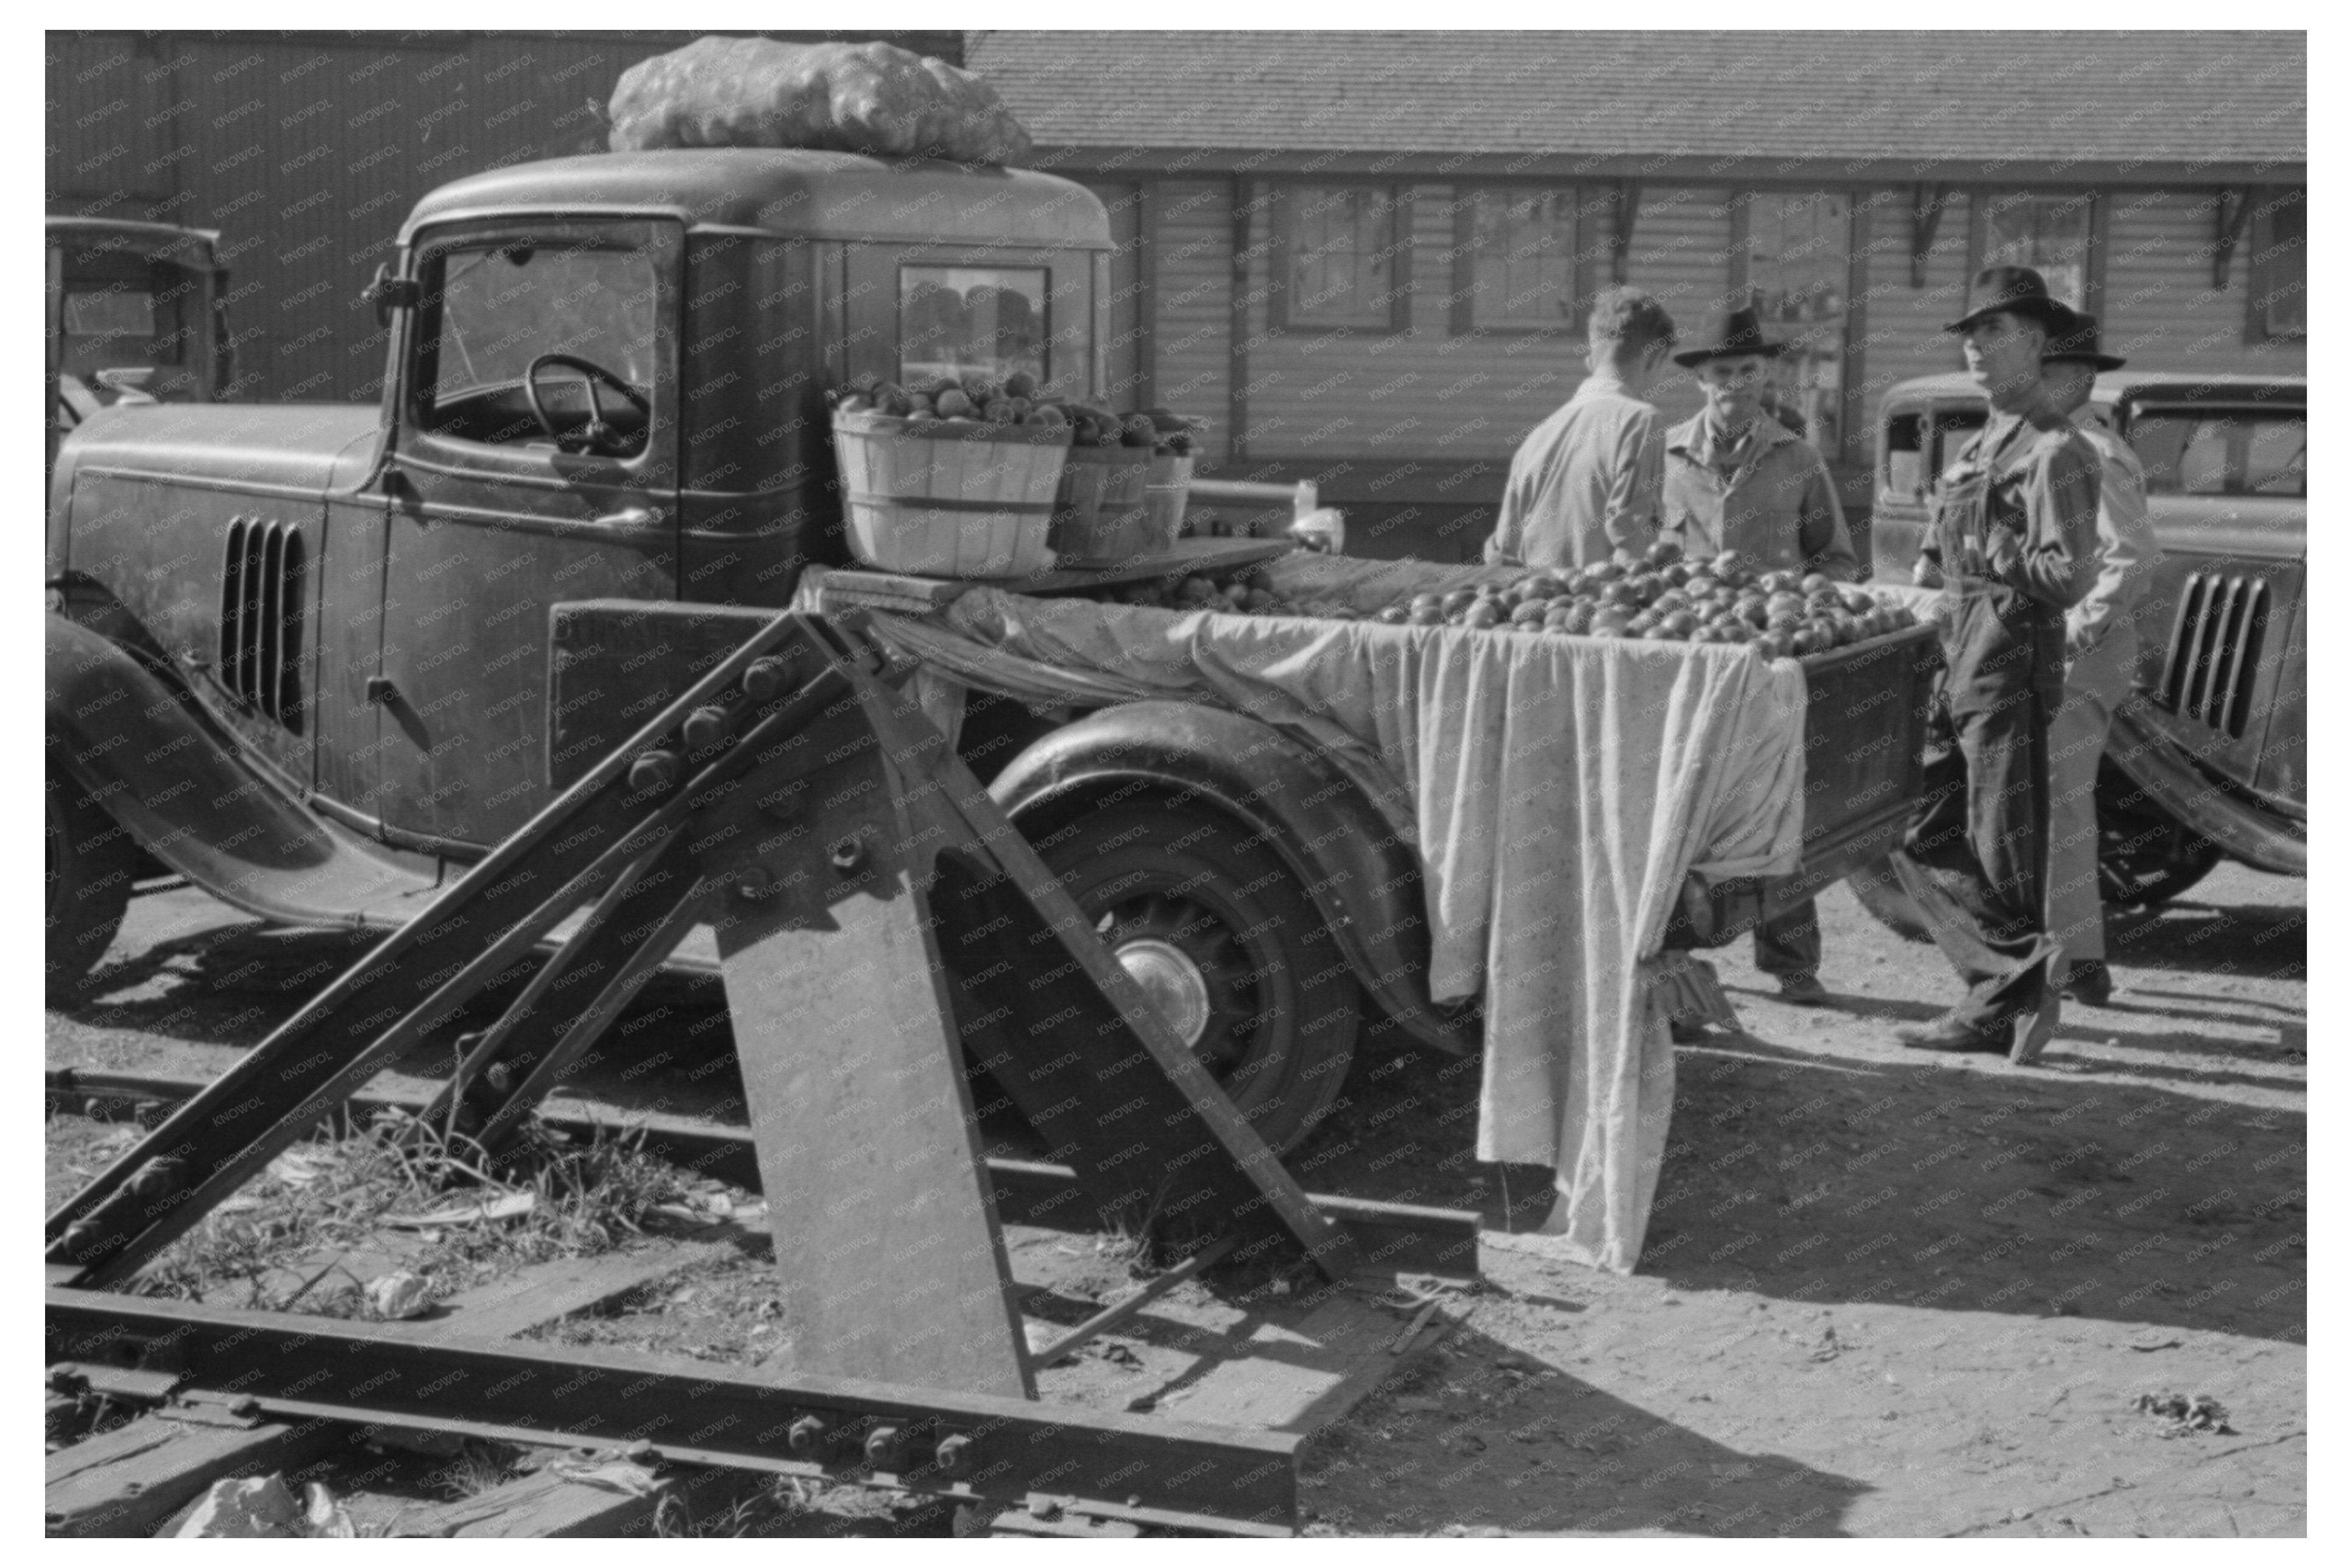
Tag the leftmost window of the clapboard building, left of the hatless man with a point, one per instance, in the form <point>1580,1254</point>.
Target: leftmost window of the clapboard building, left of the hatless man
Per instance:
<point>1342,260</point>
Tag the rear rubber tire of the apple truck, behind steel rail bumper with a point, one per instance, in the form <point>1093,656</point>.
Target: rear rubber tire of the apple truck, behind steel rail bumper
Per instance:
<point>1292,1014</point>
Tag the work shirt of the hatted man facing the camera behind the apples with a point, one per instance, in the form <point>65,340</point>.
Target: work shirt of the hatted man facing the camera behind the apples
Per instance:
<point>1768,495</point>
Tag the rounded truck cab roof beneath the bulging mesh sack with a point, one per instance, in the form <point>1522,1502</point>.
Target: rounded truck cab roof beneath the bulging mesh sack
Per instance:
<point>789,194</point>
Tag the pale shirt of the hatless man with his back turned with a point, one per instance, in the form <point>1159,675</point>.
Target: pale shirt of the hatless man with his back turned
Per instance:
<point>1584,483</point>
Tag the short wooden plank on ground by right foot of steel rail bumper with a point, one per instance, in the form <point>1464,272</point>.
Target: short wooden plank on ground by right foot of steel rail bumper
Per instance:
<point>1304,1376</point>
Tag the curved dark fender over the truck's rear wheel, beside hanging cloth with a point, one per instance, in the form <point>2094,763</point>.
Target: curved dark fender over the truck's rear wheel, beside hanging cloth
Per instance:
<point>1361,873</point>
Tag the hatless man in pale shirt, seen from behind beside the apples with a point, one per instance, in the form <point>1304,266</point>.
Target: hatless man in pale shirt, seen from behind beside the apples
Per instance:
<point>1586,481</point>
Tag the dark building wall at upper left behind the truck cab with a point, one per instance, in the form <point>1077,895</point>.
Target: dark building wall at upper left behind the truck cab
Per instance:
<point>309,149</point>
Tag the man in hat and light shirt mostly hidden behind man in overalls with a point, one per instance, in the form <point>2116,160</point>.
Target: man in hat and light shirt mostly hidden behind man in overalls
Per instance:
<point>2102,655</point>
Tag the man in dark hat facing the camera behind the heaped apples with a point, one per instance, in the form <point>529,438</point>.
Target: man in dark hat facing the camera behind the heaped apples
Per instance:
<point>1739,481</point>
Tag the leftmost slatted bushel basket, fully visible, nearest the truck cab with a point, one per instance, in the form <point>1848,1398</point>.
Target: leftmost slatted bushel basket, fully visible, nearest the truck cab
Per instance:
<point>949,500</point>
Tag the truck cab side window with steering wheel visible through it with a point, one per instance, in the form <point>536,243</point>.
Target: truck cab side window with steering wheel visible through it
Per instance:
<point>493,311</point>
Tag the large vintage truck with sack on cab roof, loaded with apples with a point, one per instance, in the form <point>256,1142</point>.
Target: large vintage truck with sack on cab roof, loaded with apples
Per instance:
<point>302,655</point>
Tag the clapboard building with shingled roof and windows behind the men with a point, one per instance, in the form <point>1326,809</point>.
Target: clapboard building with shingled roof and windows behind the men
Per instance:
<point>1365,257</point>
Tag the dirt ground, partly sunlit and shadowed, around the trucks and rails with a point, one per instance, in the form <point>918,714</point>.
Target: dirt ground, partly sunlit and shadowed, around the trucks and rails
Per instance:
<point>1883,1294</point>
